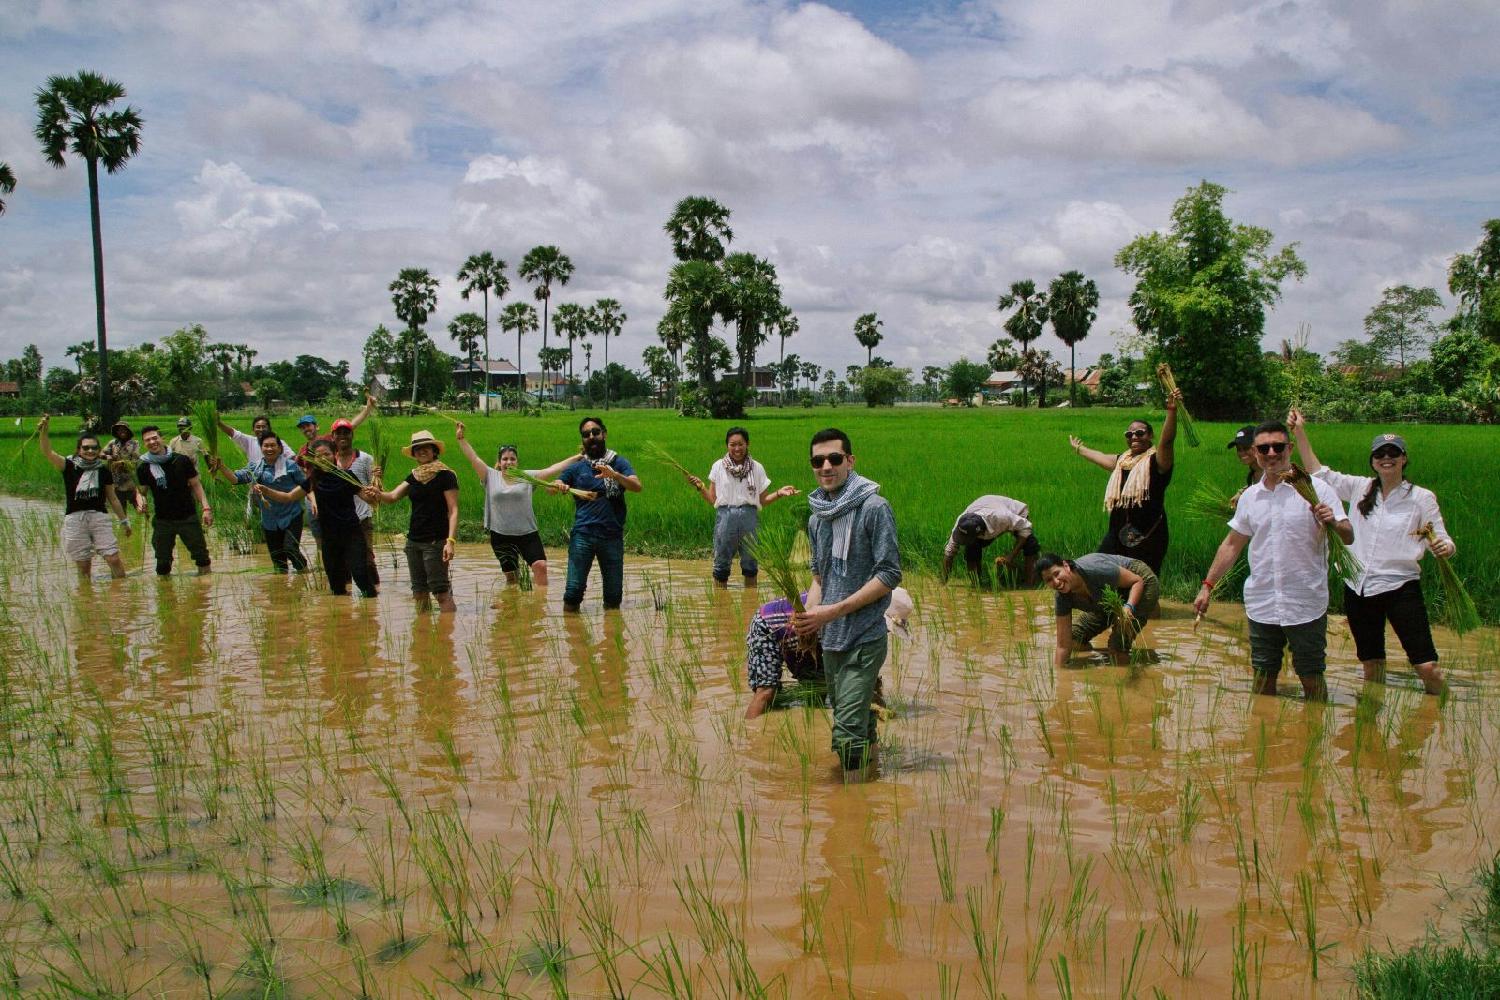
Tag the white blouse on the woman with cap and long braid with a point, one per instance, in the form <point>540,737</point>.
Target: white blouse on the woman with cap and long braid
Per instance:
<point>1385,542</point>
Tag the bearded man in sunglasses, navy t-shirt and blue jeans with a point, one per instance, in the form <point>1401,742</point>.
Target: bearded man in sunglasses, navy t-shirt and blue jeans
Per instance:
<point>599,525</point>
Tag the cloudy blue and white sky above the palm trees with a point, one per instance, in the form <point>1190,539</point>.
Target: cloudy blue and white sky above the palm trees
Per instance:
<point>911,160</point>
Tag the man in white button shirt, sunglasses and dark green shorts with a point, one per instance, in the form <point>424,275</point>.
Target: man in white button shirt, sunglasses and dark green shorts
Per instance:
<point>1286,596</point>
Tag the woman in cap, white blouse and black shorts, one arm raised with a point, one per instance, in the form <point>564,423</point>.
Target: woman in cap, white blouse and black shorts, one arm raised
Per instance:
<point>1390,516</point>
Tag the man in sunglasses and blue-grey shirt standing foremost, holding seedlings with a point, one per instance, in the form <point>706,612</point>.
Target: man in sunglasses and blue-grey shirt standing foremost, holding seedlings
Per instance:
<point>856,567</point>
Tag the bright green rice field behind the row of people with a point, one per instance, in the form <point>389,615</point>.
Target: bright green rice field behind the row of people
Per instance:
<point>931,464</point>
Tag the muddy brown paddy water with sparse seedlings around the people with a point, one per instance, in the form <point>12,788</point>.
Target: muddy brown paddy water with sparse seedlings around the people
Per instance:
<point>244,785</point>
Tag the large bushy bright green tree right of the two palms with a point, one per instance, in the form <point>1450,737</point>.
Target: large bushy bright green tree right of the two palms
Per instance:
<point>1202,293</point>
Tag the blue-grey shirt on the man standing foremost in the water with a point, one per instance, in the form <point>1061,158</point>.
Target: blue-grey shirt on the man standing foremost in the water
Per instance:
<point>874,552</point>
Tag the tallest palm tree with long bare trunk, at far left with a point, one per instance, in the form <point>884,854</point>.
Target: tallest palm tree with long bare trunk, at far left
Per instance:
<point>73,115</point>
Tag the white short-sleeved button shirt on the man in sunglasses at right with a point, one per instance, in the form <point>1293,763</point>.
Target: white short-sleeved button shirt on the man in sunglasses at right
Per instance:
<point>1288,552</point>
